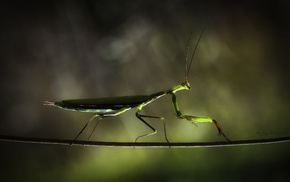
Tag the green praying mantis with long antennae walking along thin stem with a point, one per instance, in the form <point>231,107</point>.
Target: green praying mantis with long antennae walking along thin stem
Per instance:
<point>114,106</point>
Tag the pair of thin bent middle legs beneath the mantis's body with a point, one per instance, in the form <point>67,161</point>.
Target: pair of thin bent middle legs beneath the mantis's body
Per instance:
<point>139,116</point>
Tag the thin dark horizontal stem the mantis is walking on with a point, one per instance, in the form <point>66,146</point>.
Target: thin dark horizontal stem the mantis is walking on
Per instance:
<point>142,145</point>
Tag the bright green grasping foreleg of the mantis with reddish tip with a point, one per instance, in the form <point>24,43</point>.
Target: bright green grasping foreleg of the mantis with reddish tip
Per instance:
<point>195,119</point>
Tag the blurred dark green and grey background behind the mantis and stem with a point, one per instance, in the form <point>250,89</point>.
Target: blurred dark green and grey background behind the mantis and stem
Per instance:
<point>60,50</point>
